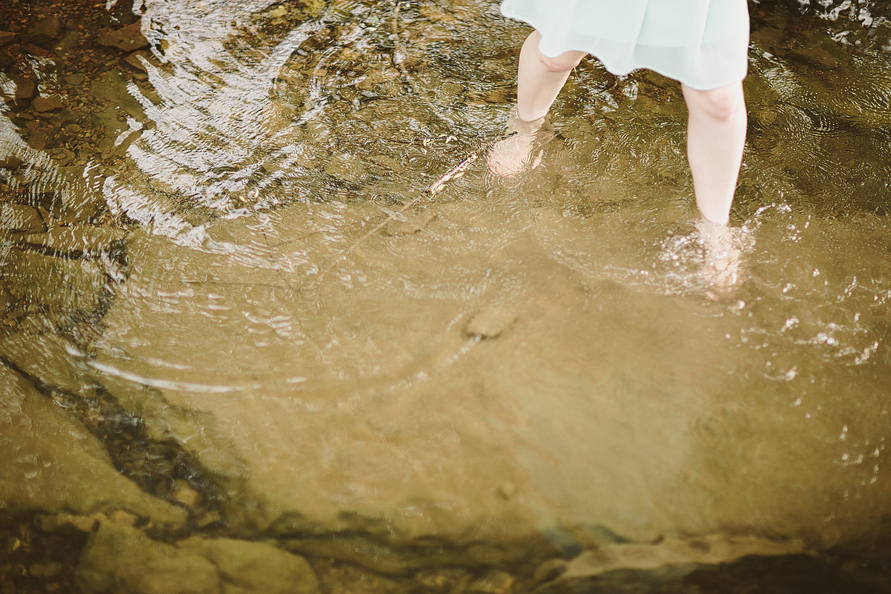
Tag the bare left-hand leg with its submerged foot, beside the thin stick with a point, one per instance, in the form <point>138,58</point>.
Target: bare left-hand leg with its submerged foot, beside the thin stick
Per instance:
<point>540,78</point>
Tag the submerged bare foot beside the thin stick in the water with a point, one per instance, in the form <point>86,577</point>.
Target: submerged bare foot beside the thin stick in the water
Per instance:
<point>522,150</point>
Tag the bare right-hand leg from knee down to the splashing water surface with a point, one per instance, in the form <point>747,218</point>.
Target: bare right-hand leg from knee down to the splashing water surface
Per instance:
<point>716,134</point>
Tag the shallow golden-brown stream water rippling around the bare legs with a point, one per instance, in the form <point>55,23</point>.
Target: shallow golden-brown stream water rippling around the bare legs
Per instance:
<point>551,354</point>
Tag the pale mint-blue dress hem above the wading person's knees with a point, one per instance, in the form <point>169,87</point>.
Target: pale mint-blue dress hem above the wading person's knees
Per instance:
<point>702,43</point>
